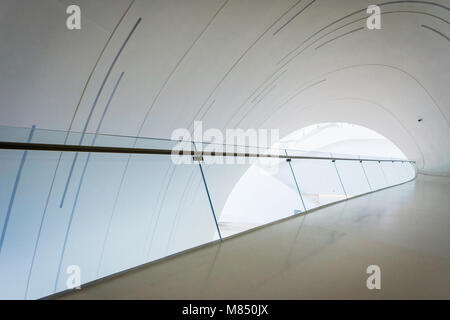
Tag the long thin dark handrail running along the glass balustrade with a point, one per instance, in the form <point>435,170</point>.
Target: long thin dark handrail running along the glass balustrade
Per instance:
<point>196,154</point>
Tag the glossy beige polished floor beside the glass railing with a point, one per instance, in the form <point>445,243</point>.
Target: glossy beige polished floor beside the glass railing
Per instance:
<point>323,255</point>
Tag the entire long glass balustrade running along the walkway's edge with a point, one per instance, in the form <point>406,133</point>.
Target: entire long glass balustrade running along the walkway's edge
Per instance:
<point>104,213</point>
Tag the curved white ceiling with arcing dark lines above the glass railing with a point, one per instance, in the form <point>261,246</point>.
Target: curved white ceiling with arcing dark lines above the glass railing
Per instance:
<point>246,63</point>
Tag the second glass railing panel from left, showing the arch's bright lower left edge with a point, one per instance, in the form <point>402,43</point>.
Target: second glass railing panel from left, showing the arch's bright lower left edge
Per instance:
<point>246,195</point>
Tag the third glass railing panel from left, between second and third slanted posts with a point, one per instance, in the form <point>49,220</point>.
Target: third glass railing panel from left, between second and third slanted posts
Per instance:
<point>318,182</point>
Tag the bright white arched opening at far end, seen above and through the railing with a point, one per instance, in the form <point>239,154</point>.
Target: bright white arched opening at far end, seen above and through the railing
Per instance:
<point>262,195</point>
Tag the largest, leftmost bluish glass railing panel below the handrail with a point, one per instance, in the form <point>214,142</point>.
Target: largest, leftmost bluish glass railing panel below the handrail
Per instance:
<point>120,211</point>
